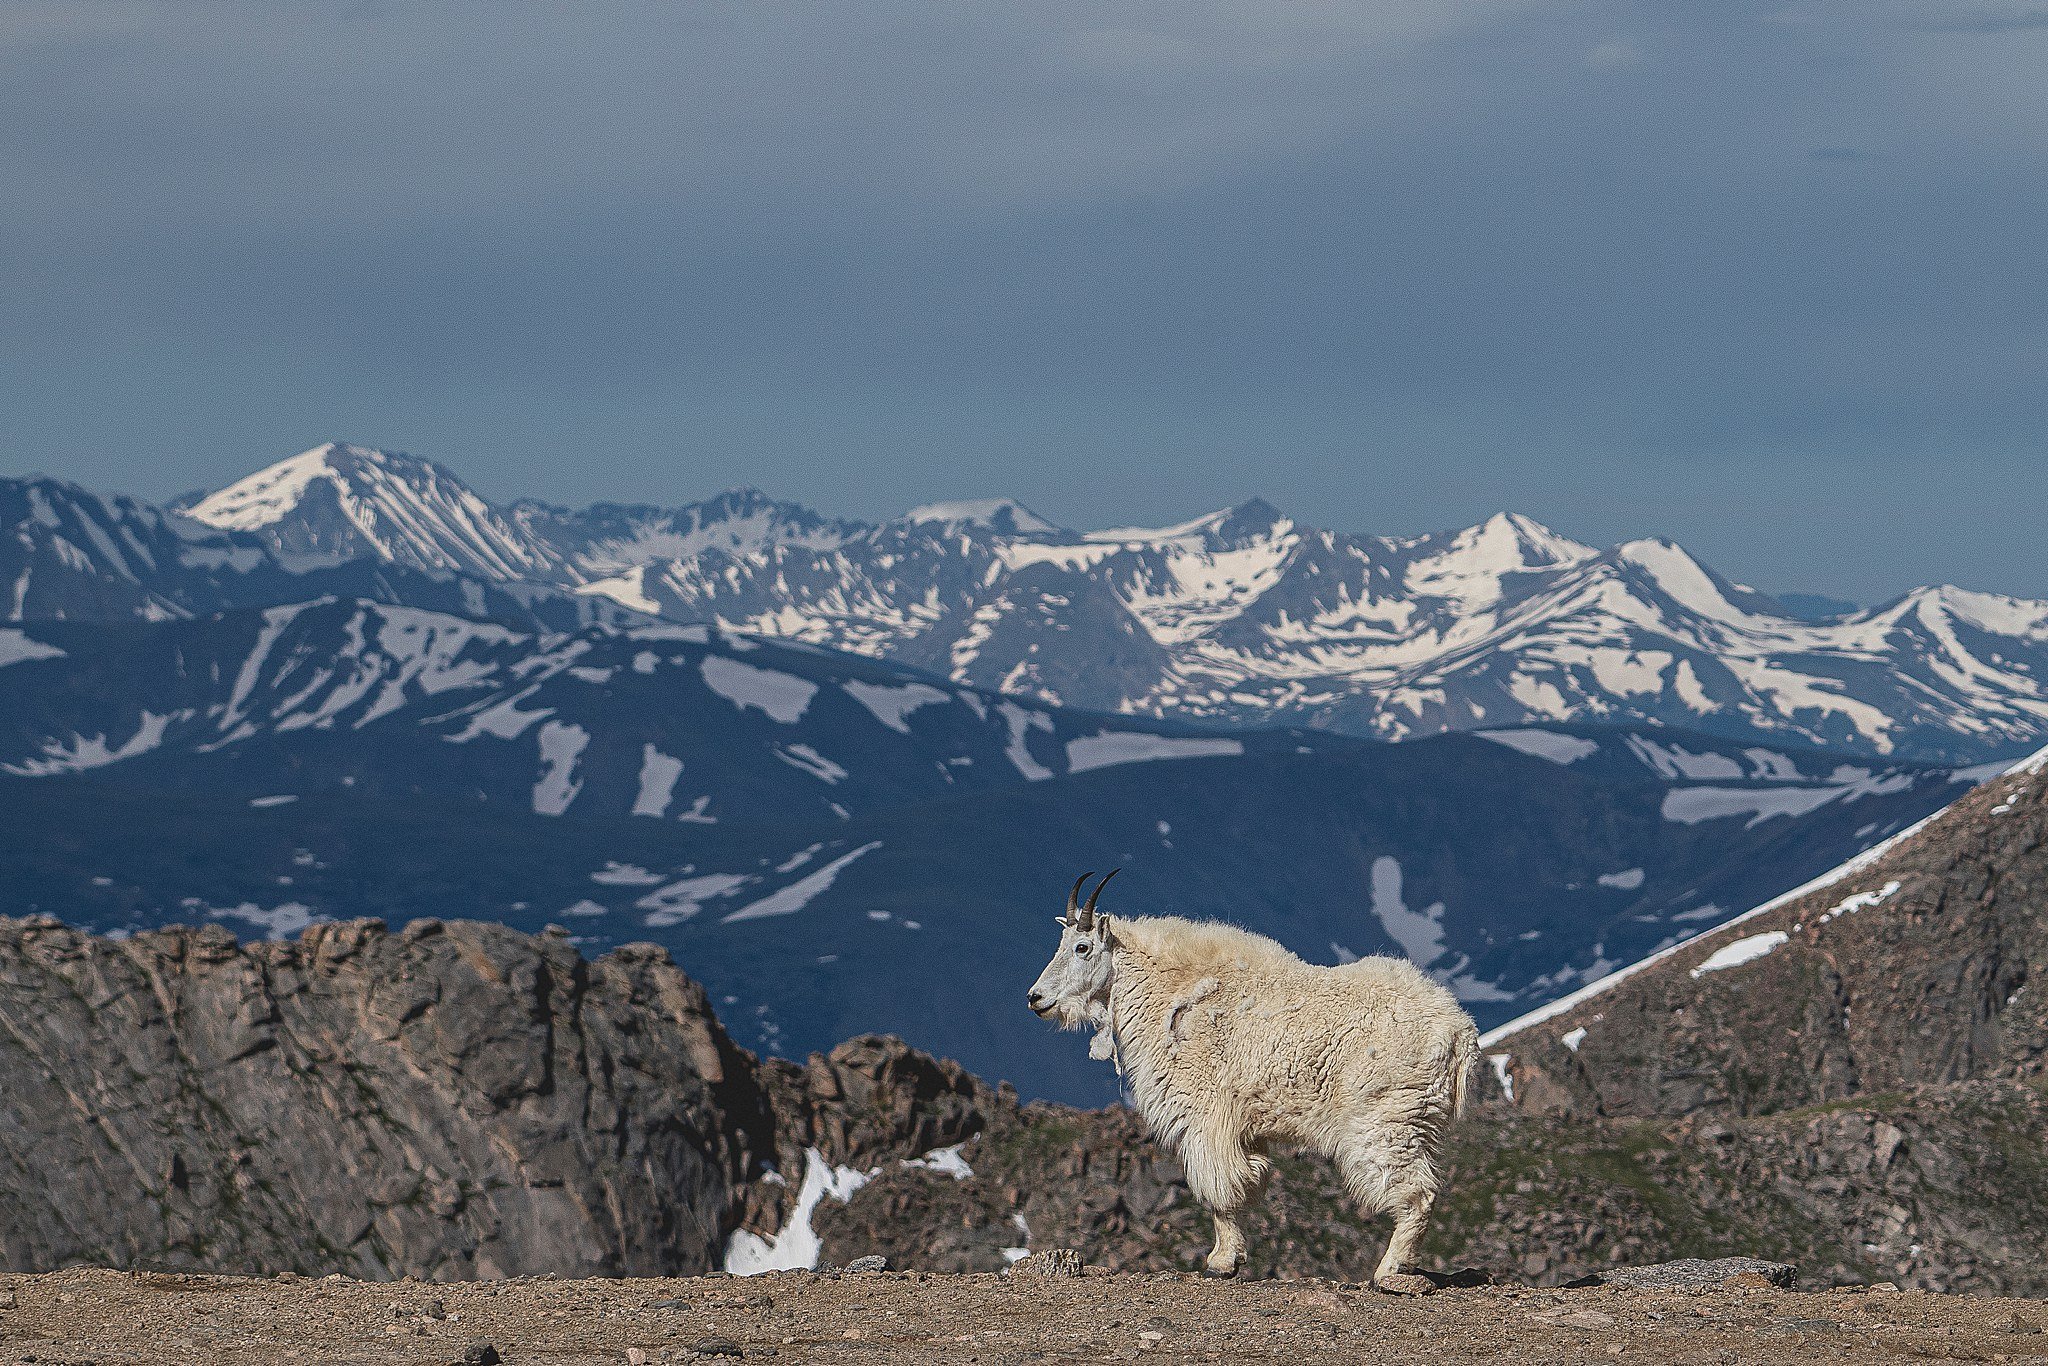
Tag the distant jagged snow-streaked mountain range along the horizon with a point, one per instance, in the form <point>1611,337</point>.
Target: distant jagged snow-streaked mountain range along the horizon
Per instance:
<point>1242,617</point>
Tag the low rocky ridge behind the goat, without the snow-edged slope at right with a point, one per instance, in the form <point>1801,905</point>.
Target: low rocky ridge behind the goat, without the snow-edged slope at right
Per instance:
<point>458,1101</point>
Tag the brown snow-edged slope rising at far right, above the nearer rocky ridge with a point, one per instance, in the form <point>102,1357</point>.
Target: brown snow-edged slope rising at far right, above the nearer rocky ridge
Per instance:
<point>1918,966</point>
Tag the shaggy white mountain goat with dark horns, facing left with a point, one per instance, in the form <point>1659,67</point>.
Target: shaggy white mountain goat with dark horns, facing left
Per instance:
<point>1230,1043</point>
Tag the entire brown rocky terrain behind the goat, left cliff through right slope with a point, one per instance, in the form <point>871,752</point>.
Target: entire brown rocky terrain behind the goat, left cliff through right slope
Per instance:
<point>460,1101</point>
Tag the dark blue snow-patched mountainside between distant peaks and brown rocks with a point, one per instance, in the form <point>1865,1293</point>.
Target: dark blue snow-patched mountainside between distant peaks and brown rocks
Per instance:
<point>843,847</point>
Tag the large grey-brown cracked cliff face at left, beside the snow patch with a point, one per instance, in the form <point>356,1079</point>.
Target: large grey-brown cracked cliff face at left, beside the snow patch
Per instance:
<point>454,1101</point>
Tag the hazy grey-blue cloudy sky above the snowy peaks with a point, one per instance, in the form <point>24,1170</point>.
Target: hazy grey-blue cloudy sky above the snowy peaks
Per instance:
<point>1762,278</point>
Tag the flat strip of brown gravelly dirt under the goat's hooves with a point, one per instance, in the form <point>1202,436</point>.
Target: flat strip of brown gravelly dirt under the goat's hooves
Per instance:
<point>103,1318</point>
